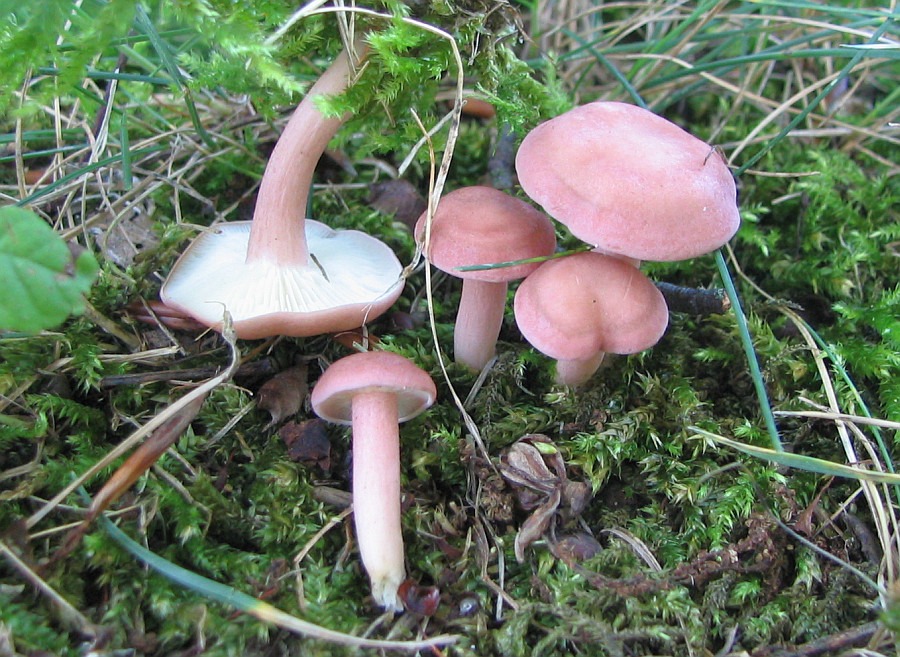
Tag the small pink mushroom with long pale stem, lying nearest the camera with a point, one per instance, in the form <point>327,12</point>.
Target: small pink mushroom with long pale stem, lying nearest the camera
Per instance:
<point>374,391</point>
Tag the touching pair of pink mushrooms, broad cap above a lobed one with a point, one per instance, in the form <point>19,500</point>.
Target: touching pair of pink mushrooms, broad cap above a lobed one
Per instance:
<point>635,187</point>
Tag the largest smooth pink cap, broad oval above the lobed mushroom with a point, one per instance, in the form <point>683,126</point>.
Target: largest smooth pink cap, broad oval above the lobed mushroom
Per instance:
<point>630,182</point>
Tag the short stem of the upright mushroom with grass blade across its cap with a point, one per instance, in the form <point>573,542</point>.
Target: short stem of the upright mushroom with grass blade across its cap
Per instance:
<point>478,321</point>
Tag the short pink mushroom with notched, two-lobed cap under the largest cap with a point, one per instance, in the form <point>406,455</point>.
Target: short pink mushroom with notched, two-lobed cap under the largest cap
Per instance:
<point>578,308</point>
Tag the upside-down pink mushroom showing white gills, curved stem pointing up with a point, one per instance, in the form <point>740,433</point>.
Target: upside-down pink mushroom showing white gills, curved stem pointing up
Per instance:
<point>282,274</point>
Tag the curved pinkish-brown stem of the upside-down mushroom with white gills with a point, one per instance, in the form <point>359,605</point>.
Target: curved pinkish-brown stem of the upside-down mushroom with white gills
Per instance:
<point>278,232</point>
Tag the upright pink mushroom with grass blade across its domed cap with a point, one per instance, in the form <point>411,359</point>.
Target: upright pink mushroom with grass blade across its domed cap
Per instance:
<point>478,226</point>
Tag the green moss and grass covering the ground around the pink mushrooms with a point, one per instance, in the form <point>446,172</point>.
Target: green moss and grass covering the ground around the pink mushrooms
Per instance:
<point>130,124</point>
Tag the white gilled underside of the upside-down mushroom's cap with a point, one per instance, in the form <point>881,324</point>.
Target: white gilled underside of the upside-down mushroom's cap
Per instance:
<point>345,268</point>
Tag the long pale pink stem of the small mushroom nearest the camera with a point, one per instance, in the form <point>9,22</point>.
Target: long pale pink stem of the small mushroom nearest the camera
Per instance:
<point>376,493</point>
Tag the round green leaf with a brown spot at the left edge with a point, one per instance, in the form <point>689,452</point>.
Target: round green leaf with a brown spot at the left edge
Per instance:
<point>41,285</point>
